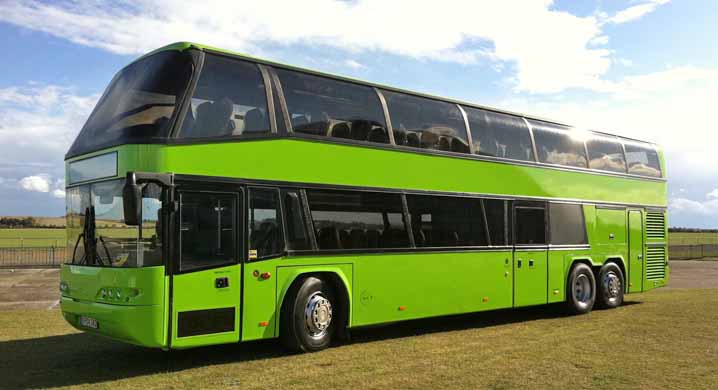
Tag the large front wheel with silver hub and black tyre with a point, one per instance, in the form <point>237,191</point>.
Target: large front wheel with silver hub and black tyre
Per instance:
<point>307,323</point>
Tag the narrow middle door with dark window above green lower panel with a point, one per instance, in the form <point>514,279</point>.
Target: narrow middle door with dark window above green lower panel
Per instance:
<point>530,254</point>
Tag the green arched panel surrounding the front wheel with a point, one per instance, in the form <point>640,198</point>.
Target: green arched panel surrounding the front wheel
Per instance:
<point>338,276</point>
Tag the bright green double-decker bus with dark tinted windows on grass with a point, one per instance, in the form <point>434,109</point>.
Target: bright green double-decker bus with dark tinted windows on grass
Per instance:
<point>218,198</point>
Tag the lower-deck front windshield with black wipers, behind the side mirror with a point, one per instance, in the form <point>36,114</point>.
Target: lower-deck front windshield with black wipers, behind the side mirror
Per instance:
<point>115,244</point>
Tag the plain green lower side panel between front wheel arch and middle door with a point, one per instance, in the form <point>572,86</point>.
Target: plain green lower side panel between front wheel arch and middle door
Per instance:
<point>406,286</point>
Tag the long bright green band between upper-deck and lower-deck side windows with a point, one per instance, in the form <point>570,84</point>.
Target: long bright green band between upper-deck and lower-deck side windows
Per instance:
<point>438,173</point>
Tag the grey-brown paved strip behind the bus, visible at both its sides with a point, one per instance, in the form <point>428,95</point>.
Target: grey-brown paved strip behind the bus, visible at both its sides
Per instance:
<point>39,288</point>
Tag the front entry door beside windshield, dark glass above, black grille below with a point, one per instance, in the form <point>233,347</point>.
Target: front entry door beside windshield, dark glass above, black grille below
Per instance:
<point>205,286</point>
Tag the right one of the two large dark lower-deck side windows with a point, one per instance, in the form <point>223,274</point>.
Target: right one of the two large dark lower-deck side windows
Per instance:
<point>442,221</point>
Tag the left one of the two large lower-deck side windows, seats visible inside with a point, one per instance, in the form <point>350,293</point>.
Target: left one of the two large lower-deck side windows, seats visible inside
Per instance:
<point>357,220</point>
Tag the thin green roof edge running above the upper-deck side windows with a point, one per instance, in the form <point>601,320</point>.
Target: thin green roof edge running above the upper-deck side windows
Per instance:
<point>181,46</point>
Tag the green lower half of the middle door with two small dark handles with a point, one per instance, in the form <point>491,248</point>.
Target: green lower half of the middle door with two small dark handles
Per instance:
<point>530,277</point>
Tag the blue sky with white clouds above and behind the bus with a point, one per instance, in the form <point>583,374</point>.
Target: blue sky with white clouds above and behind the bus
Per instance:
<point>645,69</point>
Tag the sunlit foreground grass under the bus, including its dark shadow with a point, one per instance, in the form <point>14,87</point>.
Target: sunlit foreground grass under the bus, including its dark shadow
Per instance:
<point>662,339</point>
